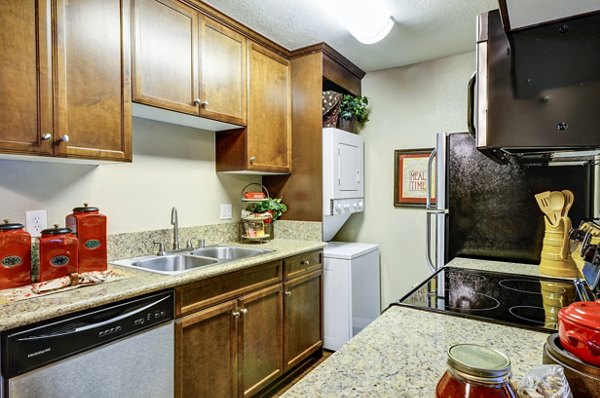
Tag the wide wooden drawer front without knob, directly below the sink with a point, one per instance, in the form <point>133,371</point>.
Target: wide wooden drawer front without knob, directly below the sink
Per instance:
<point>202,294</point>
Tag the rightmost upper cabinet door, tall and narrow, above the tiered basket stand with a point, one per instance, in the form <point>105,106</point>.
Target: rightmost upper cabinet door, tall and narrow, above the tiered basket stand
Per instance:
<point>269,112</point>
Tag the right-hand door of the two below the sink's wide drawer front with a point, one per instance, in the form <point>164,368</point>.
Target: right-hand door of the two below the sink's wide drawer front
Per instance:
<point>260,339</point>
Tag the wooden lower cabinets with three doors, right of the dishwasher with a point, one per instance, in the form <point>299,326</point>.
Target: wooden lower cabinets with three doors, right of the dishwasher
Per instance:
<point>239,332</point>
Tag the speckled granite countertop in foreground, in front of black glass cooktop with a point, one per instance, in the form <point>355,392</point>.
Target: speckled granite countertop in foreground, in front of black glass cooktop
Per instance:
<point>403,354</point>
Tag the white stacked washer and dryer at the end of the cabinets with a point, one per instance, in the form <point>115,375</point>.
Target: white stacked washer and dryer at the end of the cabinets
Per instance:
<point>351,276</point>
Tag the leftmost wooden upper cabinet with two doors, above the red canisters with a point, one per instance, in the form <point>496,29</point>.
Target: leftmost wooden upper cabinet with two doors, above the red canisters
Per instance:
<point>79,108</point>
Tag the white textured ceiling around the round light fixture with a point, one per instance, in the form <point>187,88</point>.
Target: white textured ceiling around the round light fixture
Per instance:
<point>424,29</point>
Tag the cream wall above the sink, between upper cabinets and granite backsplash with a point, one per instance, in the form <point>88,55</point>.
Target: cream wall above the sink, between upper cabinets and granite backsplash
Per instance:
<point>172,166</point>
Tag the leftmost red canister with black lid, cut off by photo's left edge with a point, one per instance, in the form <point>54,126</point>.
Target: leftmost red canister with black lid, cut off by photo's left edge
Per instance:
<point>15,255</point>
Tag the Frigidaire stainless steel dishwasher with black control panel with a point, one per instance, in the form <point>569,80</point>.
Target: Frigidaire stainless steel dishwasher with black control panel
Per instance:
<point>124,349</point>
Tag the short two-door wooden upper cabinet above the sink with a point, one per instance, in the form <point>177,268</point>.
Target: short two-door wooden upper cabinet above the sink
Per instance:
<point>186,62</point>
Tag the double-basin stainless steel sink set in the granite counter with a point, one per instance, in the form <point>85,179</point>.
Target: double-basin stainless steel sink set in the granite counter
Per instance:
<point>169,265</point>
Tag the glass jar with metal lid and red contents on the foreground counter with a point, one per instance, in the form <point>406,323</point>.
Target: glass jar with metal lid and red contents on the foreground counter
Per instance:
<point>475,371</point>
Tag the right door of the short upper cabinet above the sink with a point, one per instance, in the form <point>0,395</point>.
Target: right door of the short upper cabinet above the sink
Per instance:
<point>223,73</point>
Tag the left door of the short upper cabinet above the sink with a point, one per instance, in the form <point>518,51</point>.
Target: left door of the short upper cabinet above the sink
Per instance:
<point>165,55</point>
